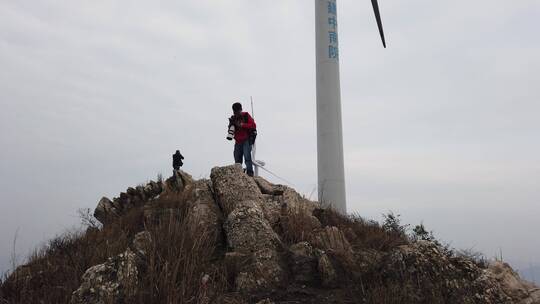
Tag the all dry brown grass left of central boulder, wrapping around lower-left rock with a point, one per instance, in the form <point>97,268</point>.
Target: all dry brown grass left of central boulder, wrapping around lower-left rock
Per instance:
<point>178,259</point>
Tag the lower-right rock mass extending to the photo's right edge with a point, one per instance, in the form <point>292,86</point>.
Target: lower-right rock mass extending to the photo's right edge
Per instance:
<point>498,283</point>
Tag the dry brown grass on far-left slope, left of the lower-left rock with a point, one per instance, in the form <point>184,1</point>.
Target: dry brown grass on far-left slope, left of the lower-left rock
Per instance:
<point>54,271</point>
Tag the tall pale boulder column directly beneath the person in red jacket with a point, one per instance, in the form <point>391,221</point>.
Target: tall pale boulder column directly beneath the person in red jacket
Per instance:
<point>248,231</point>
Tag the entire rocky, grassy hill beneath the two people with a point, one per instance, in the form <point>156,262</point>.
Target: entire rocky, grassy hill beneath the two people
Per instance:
<point>237,239</point>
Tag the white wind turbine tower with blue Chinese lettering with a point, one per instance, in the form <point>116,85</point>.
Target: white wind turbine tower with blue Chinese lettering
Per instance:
<point>331,175</point>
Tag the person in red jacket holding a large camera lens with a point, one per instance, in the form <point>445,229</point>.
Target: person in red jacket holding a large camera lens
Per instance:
<point>244,127</point>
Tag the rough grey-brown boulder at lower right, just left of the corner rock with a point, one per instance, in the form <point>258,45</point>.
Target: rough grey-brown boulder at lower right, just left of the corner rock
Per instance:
<point>433,267</point>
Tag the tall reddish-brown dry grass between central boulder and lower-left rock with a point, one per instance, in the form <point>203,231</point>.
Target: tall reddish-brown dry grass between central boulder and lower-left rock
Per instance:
<point>178,260</point>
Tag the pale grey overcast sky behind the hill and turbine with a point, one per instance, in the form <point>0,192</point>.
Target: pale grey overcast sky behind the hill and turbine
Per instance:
<point>441,127</point>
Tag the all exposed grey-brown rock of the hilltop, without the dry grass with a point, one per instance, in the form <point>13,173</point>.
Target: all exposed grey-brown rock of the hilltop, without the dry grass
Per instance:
<point>246,218</point>
